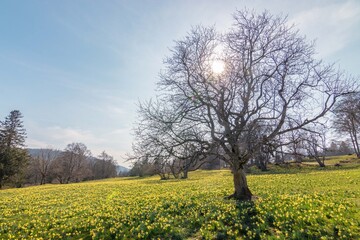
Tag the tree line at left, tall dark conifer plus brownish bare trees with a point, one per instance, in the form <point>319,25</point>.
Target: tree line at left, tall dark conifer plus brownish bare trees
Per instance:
<point>18,166</point>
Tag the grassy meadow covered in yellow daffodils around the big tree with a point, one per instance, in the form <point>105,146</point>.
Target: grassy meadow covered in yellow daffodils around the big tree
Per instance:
<point>315,205</point>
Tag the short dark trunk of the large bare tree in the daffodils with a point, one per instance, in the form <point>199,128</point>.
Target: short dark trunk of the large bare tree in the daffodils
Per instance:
<point>242,191</point>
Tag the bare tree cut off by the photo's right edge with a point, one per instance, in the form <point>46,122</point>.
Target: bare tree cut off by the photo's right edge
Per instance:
<point>347,119</point>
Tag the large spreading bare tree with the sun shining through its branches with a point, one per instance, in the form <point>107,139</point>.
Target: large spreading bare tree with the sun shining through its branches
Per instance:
<point>270,79</point>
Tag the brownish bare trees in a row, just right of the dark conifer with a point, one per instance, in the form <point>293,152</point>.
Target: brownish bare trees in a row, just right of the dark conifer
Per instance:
<point>74,164</point>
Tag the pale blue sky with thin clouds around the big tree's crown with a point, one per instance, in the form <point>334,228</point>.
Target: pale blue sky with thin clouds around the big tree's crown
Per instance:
<point>77,69</point>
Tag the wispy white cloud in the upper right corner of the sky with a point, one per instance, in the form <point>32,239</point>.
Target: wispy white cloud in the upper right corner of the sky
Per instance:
<point>333,25</point>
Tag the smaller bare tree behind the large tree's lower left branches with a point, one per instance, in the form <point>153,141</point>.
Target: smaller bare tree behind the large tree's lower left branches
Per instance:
<point>172,147</point>
